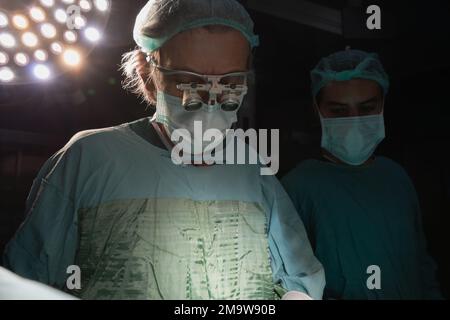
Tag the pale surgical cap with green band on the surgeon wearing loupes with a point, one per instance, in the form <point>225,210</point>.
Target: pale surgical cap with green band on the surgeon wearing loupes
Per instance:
<point>160,20</point>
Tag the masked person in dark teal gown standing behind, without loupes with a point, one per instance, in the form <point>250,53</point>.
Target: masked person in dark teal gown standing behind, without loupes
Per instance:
<point>361,211</point>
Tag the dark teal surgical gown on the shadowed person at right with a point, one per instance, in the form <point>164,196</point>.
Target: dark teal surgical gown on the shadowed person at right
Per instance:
<point>358,217</point>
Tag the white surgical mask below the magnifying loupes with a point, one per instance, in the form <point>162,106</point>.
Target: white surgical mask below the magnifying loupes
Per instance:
<point>171,114</point>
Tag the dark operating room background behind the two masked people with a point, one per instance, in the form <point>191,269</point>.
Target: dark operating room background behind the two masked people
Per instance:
<point>36,120</point>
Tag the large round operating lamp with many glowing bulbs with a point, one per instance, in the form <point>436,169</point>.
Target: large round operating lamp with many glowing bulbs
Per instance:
<point>41,39</point>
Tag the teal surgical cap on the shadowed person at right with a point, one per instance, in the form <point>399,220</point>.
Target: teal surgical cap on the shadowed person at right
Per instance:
<point>348,65</point>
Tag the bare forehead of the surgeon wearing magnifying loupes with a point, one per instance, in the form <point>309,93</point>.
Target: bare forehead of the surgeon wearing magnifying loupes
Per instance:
<point>207,52</point>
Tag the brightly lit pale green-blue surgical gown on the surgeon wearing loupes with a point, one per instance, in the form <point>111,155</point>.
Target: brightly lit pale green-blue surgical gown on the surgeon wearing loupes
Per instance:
<point>139,227</point>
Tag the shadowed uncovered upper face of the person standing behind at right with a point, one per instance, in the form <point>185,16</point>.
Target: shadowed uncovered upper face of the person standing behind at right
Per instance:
<point>353,98</point>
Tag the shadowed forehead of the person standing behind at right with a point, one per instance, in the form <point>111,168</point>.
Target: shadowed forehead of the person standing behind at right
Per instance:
<point>351,90</point>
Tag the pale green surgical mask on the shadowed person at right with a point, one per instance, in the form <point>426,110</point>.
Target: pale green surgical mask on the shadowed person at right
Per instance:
<point>352,140</point>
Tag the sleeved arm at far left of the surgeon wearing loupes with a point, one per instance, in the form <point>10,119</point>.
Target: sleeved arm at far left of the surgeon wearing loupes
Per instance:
<point>45,244</point>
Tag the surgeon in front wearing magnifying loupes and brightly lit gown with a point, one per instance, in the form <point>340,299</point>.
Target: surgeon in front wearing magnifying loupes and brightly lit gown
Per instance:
<point>139,226</point>
